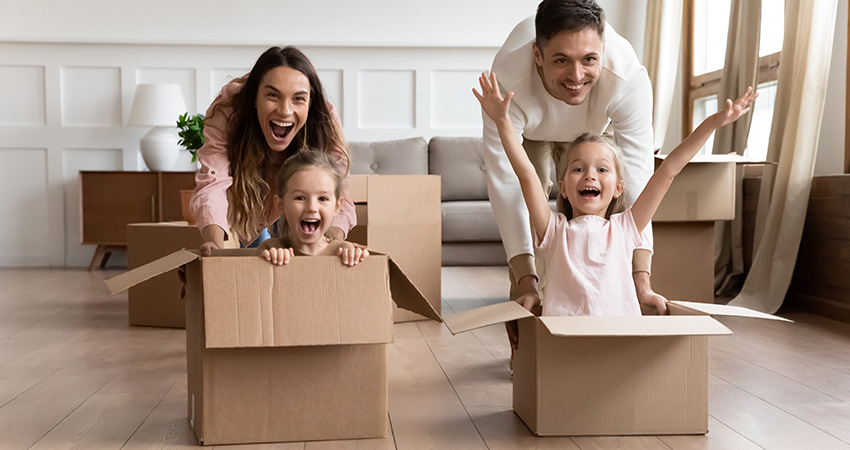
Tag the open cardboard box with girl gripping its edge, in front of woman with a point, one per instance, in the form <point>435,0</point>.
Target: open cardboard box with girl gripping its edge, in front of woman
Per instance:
<point>286,353</point>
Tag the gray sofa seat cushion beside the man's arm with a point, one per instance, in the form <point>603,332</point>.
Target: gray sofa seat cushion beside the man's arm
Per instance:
<point>469,221</point>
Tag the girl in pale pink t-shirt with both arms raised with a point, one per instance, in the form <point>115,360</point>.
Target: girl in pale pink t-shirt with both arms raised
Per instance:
<point>588,244</point>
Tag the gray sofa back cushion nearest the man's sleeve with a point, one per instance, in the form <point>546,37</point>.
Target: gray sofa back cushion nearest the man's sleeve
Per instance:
<point>459,161</point>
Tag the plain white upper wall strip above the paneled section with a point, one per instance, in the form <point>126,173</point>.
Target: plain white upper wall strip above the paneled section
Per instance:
<point>476,23</point>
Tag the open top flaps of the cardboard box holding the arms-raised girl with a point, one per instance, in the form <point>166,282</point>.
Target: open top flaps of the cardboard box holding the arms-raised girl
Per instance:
<point>686,318</point>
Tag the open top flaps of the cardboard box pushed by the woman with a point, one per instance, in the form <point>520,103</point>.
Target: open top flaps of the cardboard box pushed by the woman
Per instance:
<point>251,303</point>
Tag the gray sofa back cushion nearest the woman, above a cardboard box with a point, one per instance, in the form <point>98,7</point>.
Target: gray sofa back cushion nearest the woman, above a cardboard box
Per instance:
<point>397,157</point>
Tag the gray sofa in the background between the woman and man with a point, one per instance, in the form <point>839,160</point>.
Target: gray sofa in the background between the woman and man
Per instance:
<point>470,235</point>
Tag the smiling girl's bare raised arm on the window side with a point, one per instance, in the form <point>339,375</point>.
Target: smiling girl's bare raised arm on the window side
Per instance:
<point>648,201</point>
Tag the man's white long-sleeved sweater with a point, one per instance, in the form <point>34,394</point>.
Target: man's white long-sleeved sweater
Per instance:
<point>622,97</point>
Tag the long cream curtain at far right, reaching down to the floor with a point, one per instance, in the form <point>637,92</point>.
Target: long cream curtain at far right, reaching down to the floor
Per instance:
<point>801,94</point>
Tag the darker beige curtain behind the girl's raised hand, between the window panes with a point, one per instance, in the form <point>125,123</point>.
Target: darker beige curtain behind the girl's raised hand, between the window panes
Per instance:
<point>740,70</point>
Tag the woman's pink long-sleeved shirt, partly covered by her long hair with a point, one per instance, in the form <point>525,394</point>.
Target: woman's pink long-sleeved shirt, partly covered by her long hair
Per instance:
<point>209,203</point>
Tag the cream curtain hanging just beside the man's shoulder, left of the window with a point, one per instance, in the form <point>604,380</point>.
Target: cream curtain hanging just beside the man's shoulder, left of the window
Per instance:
<point>661,58</point>
